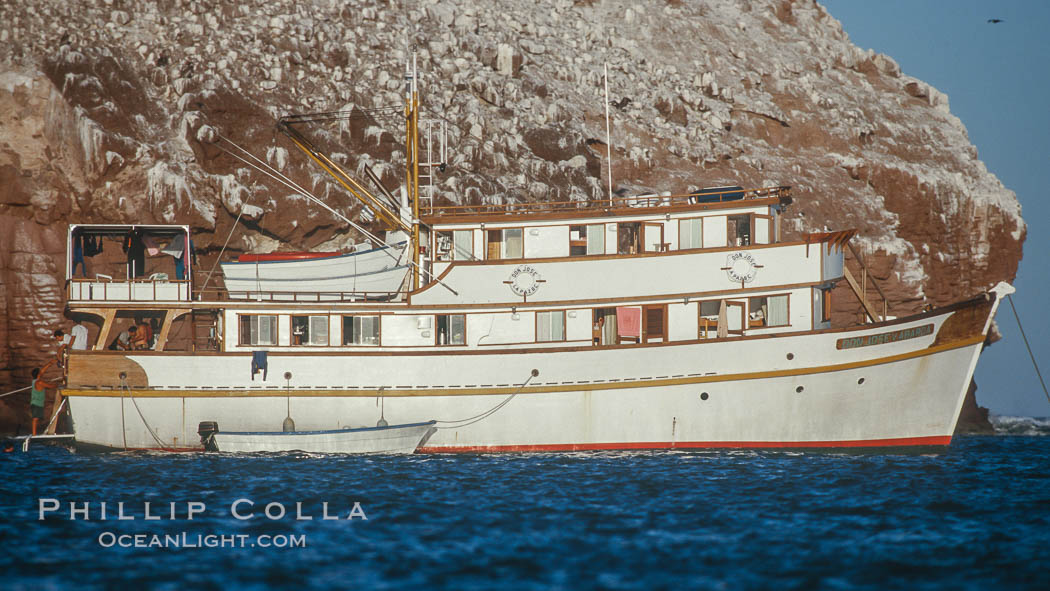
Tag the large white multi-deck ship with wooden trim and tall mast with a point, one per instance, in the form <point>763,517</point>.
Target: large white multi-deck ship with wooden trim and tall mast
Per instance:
<point>670,322</point>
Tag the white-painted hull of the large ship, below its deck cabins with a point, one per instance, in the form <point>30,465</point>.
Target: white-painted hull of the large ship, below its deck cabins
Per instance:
<point>785,391</point>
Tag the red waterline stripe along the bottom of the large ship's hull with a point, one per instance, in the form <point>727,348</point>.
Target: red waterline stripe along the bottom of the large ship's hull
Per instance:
<point>899,442</point>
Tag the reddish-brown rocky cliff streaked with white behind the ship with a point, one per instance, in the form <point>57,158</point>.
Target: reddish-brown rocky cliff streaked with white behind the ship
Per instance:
<point>102,107</point>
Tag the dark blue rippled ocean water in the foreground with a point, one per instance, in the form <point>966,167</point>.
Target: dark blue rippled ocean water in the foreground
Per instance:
<point>976,516</point>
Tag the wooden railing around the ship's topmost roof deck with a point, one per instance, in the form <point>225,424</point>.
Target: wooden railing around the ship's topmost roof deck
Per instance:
<point>722,195</point>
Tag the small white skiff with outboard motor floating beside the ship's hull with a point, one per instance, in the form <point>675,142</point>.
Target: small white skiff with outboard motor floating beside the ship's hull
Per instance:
<point>390,439</point>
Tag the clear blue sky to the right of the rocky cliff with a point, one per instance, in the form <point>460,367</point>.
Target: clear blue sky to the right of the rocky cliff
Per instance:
<point>998,81</point>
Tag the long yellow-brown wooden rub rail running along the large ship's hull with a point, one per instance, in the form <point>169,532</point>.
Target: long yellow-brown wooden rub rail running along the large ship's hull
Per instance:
<point>445,391</point>
